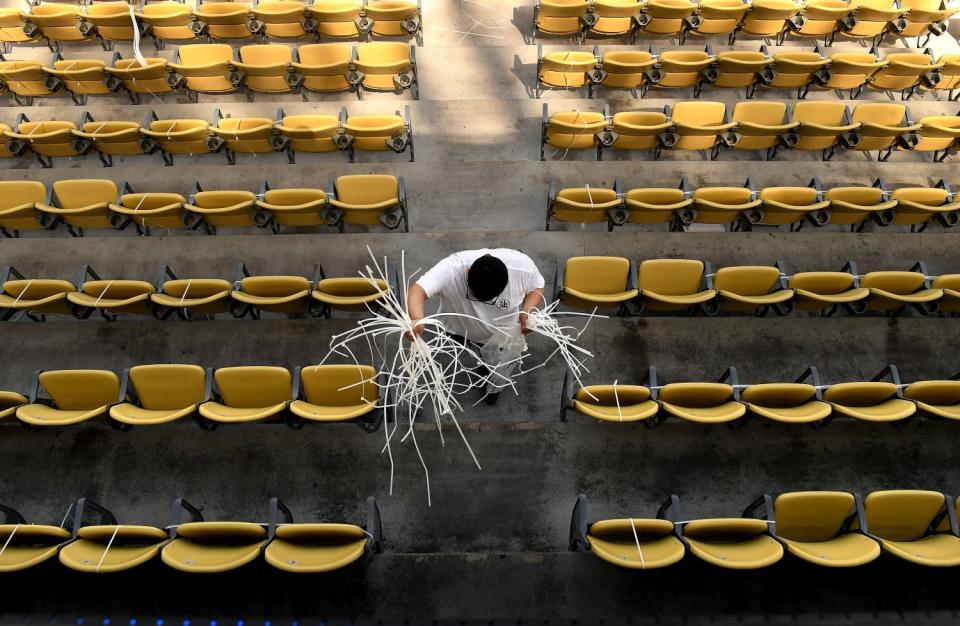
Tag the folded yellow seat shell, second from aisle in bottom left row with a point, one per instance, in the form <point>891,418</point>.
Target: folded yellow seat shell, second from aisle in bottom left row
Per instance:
<point>213,547</point>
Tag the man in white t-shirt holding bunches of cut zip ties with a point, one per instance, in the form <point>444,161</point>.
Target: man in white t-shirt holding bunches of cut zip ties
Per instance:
<point>486,284</point>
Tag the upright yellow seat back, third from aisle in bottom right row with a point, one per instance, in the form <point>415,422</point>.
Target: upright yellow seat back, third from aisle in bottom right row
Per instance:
<point>811,515</point>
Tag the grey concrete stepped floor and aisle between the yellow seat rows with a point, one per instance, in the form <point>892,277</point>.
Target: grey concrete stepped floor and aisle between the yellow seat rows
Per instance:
<point>492,546</point>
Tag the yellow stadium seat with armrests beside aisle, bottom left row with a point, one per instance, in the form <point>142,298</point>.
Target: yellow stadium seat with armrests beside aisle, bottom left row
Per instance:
<point>310,548</point>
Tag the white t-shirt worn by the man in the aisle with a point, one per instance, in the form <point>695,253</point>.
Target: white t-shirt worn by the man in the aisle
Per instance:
<point>448,280</point>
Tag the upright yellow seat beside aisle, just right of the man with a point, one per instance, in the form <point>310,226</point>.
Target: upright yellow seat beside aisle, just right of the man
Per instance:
<point>592,282</point>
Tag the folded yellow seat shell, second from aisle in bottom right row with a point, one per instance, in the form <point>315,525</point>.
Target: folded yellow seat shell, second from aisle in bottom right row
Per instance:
<point>733,543</point>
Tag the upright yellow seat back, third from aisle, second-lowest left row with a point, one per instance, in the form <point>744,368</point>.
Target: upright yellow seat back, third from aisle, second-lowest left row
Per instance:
<point>167,387</point>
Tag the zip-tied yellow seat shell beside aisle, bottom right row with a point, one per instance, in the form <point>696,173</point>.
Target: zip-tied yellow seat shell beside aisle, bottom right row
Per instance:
<point>613,541</point>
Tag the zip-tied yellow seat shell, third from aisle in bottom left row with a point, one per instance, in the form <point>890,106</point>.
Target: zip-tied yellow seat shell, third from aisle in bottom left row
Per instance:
<point>129,546</point>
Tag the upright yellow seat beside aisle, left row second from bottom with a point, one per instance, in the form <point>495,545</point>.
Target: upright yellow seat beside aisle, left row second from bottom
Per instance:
<point>336,393</point>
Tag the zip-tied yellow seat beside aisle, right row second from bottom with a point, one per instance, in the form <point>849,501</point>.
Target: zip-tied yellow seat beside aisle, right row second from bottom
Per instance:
<point>611,403</point>
